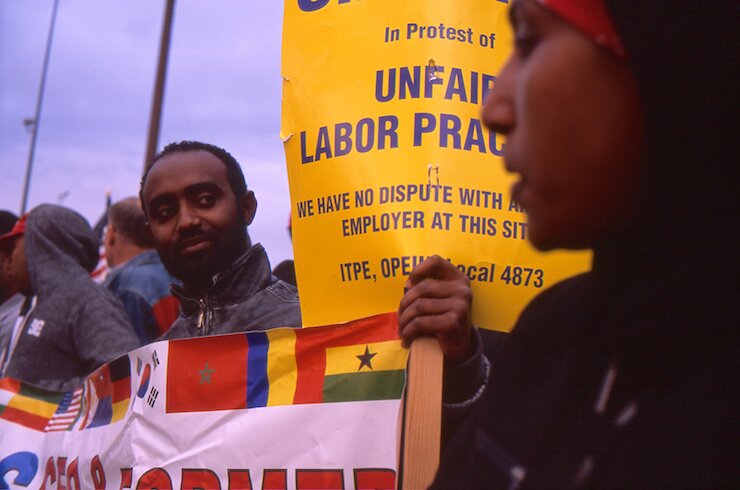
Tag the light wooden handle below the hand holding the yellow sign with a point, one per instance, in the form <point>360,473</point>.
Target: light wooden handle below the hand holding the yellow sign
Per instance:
<point>422,420</point>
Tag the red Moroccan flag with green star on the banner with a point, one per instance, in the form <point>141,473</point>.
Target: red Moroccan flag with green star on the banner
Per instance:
<point>207,373</point>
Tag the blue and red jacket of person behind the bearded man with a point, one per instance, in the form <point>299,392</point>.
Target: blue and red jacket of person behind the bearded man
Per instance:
<point>143,286</point>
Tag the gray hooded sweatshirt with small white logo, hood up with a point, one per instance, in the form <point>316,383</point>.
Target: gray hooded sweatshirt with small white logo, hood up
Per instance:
<point>74,325</point>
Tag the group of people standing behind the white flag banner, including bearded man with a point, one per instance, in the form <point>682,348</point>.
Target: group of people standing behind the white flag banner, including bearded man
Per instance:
<point>181,265</point>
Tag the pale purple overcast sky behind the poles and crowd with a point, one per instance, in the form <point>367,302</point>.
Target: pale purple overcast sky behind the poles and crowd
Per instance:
<point>223,87</point>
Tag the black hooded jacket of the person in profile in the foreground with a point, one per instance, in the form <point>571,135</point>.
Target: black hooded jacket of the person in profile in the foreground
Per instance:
<point>627,377</point>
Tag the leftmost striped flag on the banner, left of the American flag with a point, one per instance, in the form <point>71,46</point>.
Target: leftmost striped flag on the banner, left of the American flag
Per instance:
<point>27,405</point>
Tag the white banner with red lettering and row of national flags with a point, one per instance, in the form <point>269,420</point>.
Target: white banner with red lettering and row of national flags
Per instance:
<point>281,409</point>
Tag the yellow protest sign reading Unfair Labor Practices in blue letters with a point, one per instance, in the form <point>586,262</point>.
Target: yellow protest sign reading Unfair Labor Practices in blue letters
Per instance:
<point>388,161</point>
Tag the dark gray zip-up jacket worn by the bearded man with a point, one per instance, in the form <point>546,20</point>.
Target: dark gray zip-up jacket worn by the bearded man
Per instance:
<point>244,297</point>
